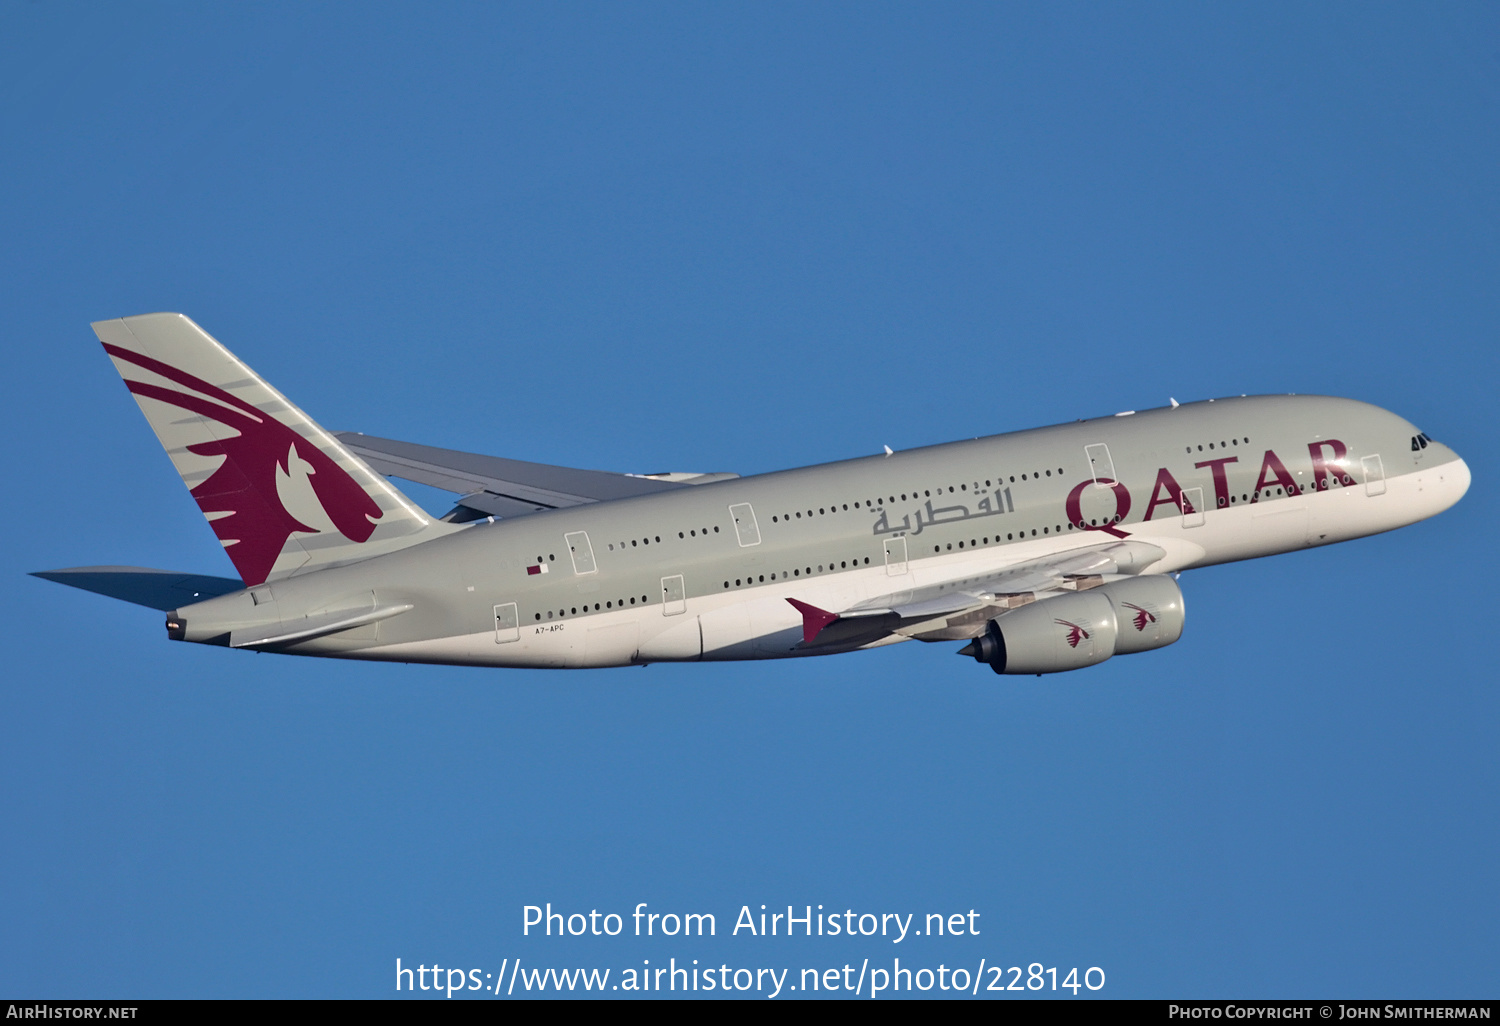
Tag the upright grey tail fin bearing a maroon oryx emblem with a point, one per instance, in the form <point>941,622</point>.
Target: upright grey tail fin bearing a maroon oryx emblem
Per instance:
<point>281,493</point>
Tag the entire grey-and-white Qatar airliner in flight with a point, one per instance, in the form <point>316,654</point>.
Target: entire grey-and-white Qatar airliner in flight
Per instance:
<point>1043,551</point>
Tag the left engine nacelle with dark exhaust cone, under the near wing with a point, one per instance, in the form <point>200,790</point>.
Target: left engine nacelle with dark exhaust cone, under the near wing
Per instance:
<point>1051,637</point>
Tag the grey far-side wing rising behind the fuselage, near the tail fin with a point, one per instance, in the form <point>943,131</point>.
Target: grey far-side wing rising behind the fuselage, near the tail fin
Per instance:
<point>506,488</point>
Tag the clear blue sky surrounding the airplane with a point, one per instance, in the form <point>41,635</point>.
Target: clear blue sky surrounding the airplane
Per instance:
<point>749,238</point>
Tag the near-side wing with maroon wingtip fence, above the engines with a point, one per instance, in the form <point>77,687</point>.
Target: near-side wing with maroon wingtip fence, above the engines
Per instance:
<point>959,608</point>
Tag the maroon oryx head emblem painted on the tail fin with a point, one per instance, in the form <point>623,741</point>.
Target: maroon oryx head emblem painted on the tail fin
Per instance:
<point>245,484</point>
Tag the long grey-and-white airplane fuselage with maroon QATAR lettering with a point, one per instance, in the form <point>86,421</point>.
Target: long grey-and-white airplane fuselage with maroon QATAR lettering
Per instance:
<point>707,572</point>
